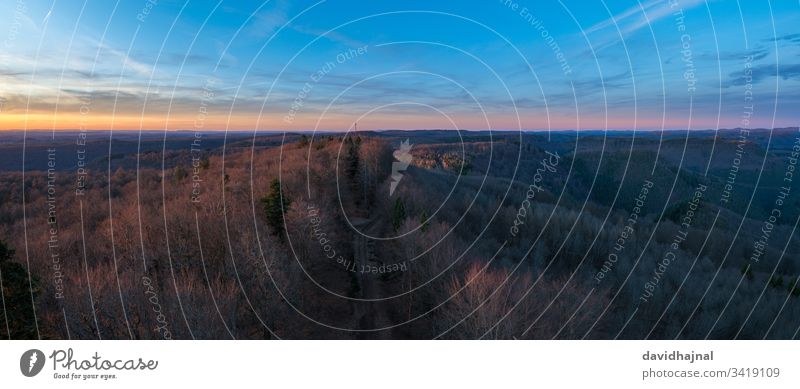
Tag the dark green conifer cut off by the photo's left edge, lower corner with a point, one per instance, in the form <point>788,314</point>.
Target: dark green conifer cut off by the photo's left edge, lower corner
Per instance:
<point>17,314</point>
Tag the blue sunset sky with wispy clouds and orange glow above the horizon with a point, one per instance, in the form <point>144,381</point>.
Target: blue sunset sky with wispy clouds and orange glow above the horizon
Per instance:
<point>468,65</point>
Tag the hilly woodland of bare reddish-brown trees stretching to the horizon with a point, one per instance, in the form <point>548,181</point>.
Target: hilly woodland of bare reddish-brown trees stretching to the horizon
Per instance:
<point>401,235</point>
